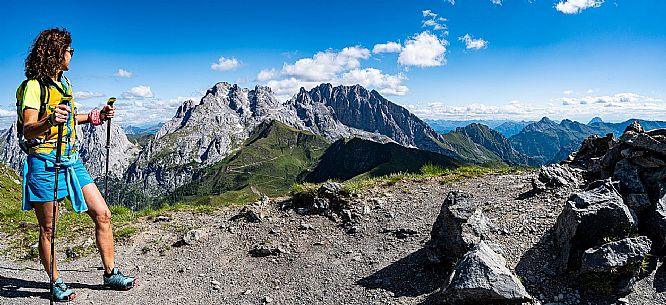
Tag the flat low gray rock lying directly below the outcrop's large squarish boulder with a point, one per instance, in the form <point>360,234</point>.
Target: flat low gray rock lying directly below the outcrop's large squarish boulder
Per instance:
<point>611,256</point>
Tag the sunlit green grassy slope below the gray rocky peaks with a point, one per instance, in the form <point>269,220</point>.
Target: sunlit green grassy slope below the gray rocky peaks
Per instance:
<point>269,162</point>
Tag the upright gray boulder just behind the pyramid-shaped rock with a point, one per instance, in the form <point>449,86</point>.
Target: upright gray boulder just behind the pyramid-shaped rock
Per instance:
<point>460,225</point>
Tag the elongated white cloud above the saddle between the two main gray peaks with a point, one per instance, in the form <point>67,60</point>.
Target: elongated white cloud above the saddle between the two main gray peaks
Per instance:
<point>326,65</point>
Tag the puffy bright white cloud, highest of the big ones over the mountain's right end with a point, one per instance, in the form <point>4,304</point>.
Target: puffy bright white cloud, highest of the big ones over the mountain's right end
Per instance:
<point>423,50</point>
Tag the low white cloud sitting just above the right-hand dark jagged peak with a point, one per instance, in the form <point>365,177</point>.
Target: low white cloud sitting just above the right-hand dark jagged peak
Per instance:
<point>386,84</point>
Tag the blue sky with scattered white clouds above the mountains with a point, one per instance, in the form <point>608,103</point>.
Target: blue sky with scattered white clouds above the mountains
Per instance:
<point>464,59</point>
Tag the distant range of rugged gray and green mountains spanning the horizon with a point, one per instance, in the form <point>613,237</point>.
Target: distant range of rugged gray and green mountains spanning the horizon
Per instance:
<point>237,138</point>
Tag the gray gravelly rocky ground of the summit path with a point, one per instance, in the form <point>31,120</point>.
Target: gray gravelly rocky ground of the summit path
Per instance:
<point>314,260</point>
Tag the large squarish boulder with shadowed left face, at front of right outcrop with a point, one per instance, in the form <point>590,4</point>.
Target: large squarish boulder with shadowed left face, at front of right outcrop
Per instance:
<point>589,218</point>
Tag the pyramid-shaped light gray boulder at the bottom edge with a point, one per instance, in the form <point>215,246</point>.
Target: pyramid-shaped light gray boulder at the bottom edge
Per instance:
<point>481,277</point>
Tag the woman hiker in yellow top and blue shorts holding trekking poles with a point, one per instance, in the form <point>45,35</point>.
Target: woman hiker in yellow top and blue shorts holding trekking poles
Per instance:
<point>40,113</point>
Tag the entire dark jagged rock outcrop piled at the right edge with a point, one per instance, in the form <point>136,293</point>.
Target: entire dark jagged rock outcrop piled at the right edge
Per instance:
<point>596,232</point>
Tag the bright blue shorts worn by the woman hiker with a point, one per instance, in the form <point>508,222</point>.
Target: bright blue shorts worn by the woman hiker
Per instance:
<point>41,179</point>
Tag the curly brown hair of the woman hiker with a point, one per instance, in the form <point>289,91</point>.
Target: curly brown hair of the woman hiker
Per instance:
<point>47,54</point>
